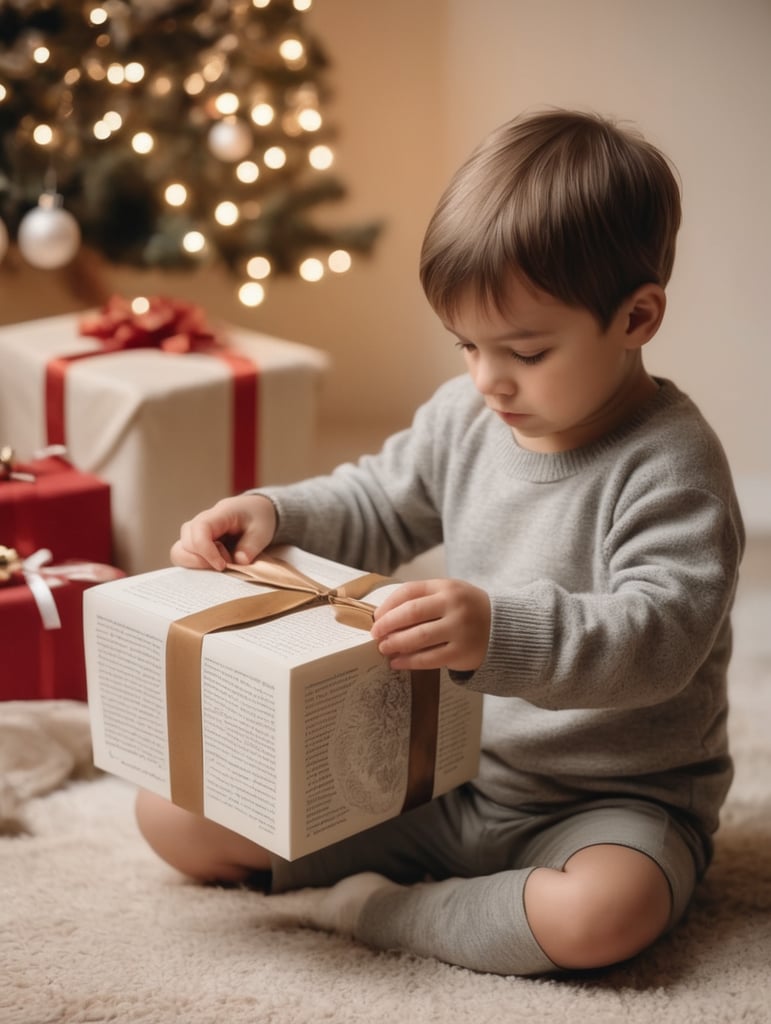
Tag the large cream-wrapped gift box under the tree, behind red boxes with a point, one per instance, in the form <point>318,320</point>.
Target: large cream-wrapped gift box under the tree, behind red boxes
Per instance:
<point>158,426</point>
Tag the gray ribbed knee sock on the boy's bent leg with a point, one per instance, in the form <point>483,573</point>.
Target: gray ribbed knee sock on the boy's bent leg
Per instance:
<point>477,923</point>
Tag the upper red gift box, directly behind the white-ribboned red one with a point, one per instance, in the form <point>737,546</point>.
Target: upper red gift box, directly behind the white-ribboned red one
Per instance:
<point>62,509</point>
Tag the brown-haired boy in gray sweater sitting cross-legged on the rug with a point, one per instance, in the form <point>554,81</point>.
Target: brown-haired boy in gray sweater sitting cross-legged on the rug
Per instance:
<point>592,540</point>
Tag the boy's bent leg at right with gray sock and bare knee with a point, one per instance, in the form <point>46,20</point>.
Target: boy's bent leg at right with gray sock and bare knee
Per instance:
<point>610,881</point>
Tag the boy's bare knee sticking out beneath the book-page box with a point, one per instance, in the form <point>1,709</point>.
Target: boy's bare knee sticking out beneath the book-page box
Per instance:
<point>195,846</point>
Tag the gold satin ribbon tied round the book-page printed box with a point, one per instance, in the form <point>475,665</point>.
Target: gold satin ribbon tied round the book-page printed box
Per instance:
<point>293,590</point>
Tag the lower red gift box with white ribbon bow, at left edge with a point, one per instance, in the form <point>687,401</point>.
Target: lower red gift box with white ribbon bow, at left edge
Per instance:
<point>39,663</point>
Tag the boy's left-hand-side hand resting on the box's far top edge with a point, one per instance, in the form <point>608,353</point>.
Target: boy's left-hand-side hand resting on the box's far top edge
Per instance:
<point>246,521</point>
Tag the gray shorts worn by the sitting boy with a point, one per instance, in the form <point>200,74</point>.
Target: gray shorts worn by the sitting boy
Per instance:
<point>464,835</point>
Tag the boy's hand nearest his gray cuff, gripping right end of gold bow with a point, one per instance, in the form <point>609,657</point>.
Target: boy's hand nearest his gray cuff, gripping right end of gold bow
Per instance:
<point>433,624</point>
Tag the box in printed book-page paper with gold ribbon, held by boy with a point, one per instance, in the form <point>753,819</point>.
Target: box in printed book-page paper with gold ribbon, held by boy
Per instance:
<point>292,731</point>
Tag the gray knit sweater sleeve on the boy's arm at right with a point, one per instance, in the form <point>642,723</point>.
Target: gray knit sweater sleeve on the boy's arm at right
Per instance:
<point>670,566</point>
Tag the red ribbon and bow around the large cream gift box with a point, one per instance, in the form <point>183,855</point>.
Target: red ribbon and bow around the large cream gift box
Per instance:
<point>177,328</point>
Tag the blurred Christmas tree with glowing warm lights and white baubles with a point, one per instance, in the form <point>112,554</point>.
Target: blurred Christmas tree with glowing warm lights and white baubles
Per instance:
<point>163,134</point>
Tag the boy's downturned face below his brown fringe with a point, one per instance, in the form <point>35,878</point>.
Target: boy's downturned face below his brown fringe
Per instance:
<point>549,371</point>
